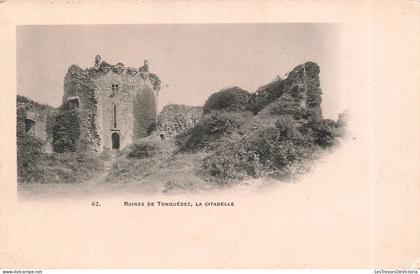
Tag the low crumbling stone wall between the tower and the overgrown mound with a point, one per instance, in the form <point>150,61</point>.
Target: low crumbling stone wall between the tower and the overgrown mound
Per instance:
<point>175,119</point>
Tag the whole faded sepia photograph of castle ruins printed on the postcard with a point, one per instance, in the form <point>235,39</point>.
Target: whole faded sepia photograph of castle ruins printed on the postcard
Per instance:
<point>175,108</point>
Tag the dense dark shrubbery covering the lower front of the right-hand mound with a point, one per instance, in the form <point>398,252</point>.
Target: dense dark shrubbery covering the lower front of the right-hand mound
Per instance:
<point>282,151</point>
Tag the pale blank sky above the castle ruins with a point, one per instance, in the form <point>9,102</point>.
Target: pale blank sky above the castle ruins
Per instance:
<point>193,61</point>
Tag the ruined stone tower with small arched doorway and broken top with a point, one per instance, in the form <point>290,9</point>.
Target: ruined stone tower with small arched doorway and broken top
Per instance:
<point>116,104</point>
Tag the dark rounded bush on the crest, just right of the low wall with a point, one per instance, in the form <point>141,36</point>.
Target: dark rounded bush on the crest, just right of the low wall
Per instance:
<point>231,99</point>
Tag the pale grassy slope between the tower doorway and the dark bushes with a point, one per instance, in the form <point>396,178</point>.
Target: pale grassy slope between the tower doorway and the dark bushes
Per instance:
<point>152,161</point>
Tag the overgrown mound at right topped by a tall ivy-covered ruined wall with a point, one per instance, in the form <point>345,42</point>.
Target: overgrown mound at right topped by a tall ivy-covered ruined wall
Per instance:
<point>282,136</point>
